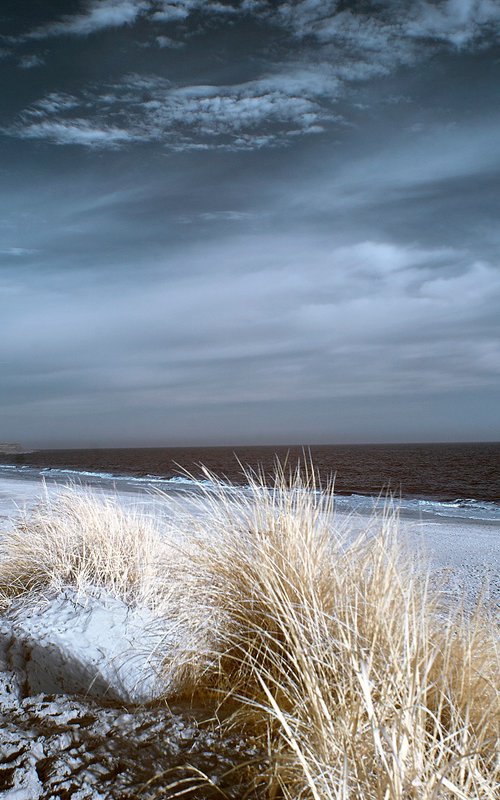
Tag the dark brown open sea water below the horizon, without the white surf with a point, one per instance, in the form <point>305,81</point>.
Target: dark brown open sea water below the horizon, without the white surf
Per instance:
<point>445,472</point>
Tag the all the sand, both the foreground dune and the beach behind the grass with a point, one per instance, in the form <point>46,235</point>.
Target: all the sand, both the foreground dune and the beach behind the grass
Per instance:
<point>76,671</point>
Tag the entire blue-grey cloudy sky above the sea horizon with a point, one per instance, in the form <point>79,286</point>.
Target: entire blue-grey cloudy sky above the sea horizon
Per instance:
<point>243,221</point>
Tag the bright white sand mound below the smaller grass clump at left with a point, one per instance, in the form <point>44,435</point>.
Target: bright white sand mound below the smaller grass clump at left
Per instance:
<point>91,644</point>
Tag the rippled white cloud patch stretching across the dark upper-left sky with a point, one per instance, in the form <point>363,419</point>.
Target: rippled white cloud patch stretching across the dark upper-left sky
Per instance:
<point>254,114</point>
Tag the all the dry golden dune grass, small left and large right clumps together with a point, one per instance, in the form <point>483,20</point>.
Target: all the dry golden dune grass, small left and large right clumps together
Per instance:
<point>329,647</point>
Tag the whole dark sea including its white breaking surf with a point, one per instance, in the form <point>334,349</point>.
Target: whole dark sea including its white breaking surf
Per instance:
<point>449,481</point>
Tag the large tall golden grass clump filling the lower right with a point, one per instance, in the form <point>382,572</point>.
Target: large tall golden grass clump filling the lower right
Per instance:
<point>333,649</point>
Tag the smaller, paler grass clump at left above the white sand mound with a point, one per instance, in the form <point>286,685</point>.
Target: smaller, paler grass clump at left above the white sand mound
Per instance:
<point>82,539</point>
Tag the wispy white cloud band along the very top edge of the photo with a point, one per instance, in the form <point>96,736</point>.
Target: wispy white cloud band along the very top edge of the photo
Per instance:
<point>455,22</point>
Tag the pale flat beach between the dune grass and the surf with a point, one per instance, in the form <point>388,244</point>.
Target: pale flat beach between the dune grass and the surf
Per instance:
<point>462,544</point>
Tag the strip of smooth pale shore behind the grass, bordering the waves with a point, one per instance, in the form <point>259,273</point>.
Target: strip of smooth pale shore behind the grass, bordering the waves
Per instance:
<point>464,552</point>
